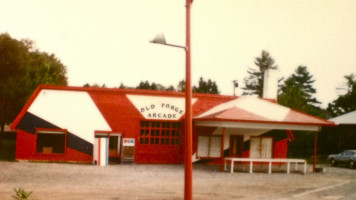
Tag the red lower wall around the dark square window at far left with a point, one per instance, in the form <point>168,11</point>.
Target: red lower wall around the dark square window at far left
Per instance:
<point>26,150</point>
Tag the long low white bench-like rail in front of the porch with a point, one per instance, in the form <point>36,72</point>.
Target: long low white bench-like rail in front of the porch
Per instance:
<point>266,160</point>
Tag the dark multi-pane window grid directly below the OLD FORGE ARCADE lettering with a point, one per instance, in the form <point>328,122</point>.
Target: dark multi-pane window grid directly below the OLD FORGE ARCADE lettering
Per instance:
<point>160,133</point>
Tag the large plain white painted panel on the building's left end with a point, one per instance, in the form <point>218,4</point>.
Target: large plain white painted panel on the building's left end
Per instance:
<point>71,110</point>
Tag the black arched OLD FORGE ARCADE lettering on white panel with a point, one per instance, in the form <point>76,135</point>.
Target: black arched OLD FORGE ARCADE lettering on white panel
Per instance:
<point>163,110</point>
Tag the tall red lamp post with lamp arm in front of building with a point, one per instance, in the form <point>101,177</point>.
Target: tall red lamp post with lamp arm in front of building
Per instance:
<point>188,166</point>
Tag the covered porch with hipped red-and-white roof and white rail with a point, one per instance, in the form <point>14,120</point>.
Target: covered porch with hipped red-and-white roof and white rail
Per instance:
<point>251,130</point>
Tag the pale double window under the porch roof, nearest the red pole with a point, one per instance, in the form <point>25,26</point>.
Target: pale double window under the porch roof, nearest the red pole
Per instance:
<point>209,146</point>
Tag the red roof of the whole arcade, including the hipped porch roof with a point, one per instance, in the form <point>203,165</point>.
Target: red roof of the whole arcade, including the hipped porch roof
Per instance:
<point>115,107</point>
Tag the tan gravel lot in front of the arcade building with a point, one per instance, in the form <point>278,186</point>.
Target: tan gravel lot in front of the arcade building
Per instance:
<point>136,181</point>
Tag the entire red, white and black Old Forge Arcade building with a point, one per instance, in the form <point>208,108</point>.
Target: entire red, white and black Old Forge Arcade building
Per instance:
<point>91,125</point>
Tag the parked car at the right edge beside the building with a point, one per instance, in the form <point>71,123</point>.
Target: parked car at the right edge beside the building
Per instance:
<point>347,157</point>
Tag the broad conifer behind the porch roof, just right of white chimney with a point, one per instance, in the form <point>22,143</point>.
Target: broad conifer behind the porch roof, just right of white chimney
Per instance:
<point>297,92</point>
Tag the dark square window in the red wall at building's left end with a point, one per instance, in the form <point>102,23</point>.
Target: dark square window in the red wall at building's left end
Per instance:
<point>51,141</point>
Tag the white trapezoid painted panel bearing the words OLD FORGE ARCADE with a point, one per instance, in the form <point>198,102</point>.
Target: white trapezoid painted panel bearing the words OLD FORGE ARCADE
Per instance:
<point>162,108</point>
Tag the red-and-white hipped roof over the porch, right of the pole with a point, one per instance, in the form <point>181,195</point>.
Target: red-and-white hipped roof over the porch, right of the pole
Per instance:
<point>256,110</point>
